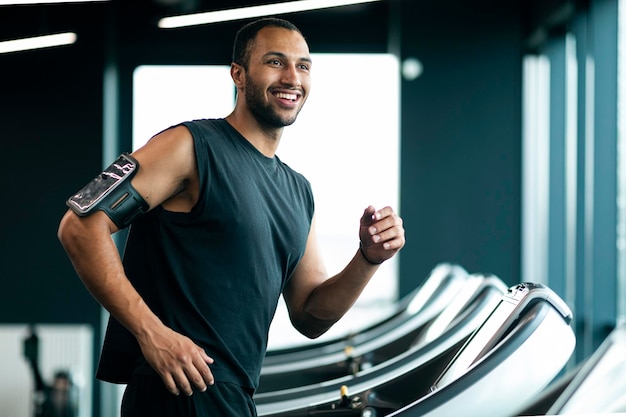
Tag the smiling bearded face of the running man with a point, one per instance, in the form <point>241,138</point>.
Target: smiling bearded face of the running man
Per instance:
<point>278,76</point>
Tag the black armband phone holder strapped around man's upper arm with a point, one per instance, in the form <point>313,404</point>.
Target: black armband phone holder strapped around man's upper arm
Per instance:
<point>112,192</point>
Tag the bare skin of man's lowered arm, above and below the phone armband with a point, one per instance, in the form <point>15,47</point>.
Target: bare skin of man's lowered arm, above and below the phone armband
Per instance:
<point>167,176</point>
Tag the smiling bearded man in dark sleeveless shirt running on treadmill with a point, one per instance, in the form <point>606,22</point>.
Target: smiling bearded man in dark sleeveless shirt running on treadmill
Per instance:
<point>226,227</point>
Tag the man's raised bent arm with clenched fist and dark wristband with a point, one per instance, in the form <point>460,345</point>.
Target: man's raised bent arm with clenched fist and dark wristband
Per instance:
<point>315,302</point>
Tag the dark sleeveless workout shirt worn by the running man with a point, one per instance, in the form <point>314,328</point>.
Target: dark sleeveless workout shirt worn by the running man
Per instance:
<point>215,274</point>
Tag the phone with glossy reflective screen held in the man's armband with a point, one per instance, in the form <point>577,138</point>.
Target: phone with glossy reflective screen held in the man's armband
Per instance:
<point>86,200</point>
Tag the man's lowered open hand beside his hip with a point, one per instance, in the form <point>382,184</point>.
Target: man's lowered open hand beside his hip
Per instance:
<point>182,365</point>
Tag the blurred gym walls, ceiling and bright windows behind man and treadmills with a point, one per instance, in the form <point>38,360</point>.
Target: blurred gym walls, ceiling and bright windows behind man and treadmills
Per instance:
<point>495,128</point>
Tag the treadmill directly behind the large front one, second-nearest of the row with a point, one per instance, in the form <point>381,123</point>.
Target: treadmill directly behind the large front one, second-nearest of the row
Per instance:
<point>415,367</point>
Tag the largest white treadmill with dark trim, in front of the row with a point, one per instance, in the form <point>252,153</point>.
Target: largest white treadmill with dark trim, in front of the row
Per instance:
<point>507,362</point>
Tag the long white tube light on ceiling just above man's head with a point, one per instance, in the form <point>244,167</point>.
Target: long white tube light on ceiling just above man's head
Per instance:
<point>253,11</point>
